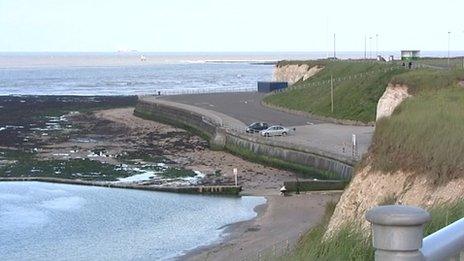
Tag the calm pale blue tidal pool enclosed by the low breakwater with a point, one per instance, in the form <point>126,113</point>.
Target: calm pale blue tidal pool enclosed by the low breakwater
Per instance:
<point>42,221</point>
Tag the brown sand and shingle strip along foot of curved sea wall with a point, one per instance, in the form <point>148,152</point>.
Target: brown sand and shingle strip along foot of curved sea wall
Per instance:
<point>255,179</point>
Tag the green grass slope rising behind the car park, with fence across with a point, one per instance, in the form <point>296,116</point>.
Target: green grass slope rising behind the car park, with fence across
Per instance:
<point>354,99</point>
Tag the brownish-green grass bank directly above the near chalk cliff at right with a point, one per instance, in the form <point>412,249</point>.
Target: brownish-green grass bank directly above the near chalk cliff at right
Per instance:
<point>424,135</point>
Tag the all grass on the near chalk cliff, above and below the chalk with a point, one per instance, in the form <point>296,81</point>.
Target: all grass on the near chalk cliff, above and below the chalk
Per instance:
<point>424,135</point>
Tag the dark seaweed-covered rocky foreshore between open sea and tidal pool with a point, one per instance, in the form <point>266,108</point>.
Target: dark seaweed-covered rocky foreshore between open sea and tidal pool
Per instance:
<point>50,137</point>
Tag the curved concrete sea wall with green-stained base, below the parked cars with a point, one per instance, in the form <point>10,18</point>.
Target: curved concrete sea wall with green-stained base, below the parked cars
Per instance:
<point>333,166</point>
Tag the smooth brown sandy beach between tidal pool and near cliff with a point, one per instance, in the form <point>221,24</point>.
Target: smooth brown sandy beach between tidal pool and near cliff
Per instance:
<point>277,228</point>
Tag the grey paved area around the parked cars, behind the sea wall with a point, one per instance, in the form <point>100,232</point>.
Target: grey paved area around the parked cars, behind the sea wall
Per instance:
<point>246,107</point>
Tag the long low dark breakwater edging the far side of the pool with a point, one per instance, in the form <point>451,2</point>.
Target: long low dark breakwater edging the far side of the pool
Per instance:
<point>217,190</point>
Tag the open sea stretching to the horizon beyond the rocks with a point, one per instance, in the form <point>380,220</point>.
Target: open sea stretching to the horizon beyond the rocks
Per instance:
<point>138,73</point>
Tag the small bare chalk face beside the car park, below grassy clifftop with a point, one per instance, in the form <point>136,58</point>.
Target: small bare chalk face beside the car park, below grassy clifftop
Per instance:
<point>391,98</point>
